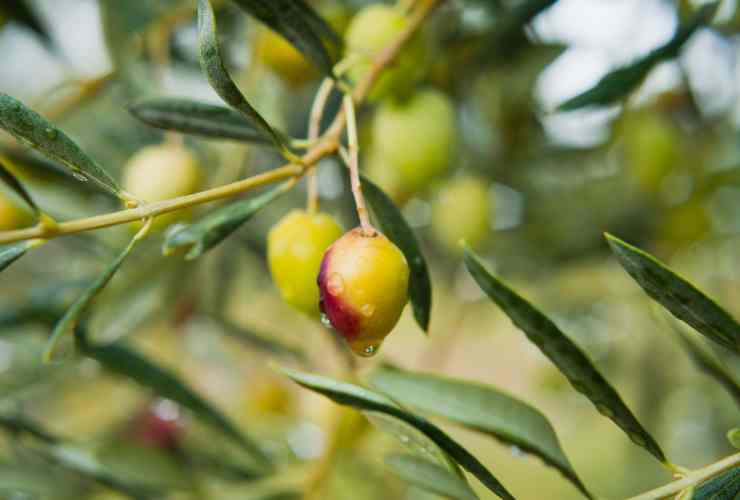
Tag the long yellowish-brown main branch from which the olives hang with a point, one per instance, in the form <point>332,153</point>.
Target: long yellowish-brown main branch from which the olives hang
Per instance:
<point>327,145</point>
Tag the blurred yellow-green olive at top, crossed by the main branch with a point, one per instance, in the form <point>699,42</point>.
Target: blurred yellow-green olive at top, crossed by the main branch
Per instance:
<point>371,31</point>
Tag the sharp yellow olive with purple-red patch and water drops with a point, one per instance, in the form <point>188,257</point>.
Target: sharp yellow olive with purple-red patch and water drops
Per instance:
<point>364,283</point>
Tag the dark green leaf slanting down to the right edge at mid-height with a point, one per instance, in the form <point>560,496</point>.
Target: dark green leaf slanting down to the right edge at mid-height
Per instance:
<point>682,299</point>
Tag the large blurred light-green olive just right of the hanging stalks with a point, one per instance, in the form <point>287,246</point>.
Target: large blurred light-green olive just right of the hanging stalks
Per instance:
<point>416,137</point>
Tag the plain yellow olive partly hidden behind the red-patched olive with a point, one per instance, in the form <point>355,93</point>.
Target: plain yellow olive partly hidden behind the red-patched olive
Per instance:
<point>295,247</point>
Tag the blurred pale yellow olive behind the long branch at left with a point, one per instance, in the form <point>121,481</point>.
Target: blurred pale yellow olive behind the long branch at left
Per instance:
<point>162,172</point>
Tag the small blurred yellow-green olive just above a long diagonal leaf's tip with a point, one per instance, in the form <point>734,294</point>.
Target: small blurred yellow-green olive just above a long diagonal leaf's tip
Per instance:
<point>461,211</point>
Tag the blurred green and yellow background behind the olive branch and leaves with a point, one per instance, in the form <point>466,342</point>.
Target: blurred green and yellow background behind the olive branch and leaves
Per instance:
<point>661,171</point>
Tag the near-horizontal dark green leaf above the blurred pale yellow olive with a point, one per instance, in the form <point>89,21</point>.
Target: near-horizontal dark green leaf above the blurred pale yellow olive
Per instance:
<point>197,118</point>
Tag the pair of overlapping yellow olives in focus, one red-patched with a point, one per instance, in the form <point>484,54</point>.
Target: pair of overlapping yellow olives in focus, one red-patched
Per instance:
<point>358,280</point>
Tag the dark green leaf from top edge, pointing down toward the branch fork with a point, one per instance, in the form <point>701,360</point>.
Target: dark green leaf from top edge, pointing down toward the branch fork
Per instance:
<point>298,23</point>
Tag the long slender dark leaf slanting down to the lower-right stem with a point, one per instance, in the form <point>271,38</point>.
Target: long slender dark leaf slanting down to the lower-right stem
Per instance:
<point>564,354</point>
